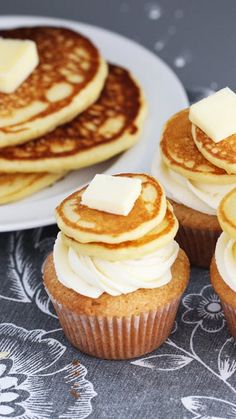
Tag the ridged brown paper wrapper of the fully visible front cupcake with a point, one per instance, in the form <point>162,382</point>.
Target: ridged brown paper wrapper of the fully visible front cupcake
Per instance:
<point>118,337</point>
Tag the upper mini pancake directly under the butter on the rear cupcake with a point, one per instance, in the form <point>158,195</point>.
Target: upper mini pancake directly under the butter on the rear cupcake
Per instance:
<point>222,154</point>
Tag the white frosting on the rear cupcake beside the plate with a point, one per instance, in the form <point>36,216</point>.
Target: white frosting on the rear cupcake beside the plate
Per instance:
<point>203,197</point>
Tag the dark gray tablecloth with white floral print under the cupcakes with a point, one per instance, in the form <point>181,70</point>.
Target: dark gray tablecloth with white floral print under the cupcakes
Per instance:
<point>192,375</point>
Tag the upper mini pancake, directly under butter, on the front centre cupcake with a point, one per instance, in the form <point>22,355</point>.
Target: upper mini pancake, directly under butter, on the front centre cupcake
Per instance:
<point>87,225</point>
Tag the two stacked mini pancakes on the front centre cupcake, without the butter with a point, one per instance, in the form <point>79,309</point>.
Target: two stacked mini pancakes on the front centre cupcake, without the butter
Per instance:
<point>149,226</point>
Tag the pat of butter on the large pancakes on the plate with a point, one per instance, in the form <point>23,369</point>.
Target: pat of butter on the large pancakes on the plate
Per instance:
<point>18,59</point>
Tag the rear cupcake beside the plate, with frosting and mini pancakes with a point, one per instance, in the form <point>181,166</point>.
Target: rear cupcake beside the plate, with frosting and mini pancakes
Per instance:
<point>194,185</point>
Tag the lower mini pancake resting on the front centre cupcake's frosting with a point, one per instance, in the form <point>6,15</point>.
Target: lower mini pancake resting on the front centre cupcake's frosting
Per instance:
<point>160,236</point>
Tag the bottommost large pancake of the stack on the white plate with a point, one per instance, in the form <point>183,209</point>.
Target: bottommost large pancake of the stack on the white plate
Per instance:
<point>16,186</point>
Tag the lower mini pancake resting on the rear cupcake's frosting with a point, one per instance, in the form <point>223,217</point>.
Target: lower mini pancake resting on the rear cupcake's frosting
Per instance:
<point>180,153</point>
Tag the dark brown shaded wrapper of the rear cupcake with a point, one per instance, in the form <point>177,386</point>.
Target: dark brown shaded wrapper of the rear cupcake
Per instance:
<point>199,245</point>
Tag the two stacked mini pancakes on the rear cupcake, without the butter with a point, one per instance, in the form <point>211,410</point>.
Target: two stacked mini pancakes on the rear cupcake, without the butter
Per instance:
<point>179,152</point>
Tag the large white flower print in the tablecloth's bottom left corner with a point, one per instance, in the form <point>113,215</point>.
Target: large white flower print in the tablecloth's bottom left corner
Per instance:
<point>29,374</point>
